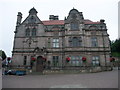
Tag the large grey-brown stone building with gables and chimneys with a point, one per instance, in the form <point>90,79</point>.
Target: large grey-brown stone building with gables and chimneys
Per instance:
<point>54,40</point>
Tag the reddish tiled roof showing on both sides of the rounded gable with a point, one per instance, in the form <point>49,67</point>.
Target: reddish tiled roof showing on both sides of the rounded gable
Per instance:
<point>61,22</point>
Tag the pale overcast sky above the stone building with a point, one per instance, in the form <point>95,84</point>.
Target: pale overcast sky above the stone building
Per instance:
<point>92,9</point>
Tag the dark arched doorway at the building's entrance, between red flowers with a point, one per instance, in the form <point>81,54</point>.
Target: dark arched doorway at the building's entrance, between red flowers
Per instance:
<point>39,64</point>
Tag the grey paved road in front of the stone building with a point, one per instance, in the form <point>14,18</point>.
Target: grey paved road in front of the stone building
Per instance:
<point>107,79</point>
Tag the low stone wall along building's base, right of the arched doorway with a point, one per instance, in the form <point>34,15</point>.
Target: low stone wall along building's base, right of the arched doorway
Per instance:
<point>76,70</point>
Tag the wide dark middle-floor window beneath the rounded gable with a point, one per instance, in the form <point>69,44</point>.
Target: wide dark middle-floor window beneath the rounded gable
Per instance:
<point>75,41</point>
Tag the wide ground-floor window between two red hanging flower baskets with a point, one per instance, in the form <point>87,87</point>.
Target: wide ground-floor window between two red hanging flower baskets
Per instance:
<point>76,61</point>
